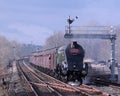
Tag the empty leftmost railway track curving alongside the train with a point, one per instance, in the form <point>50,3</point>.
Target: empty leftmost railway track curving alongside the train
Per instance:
<point>42,87</point>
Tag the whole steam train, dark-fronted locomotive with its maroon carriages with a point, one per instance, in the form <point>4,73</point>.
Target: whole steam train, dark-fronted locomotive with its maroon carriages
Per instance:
<point>66,62</point>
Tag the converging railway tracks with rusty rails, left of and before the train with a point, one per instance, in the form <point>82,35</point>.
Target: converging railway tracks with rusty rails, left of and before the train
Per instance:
<point>46,85</point>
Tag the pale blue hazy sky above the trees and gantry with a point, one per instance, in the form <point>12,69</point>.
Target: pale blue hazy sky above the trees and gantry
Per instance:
<point>29,21</point>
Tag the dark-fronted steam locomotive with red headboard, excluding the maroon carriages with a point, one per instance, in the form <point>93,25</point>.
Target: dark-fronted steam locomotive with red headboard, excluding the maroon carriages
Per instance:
<point>70,64</point>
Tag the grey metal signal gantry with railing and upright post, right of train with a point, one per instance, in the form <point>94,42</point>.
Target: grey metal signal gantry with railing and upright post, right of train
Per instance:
<point>95,29</point>
